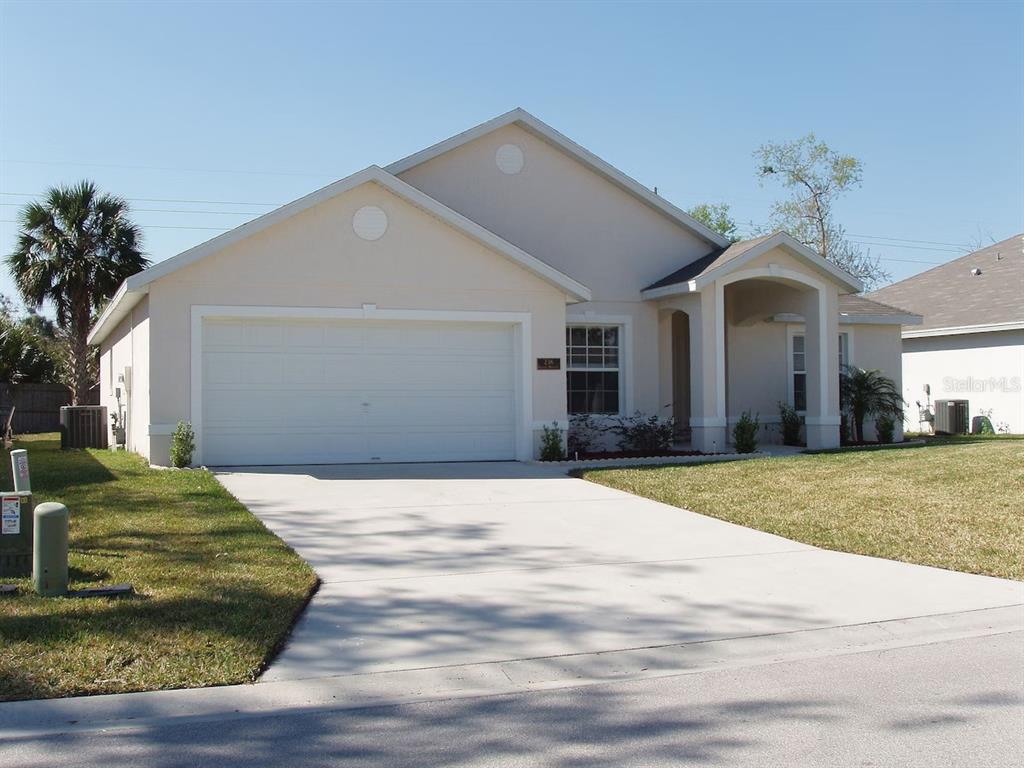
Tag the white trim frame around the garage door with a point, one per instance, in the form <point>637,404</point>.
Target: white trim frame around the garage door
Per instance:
<point>522,323</point>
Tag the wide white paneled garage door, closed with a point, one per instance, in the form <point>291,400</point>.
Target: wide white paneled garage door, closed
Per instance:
<point>297,392</point>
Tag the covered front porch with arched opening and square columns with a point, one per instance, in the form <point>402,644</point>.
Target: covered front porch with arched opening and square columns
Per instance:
<point>752,327</point>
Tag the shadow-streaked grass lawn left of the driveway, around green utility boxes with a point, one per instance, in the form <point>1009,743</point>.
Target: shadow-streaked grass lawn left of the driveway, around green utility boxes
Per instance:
<point>217,591</point>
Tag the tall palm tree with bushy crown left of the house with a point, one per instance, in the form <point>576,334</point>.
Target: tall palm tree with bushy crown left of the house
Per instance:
<point>74,249</point>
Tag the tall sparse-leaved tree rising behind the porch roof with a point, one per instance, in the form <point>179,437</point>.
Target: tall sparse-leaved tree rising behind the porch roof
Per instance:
<point>818,177</point>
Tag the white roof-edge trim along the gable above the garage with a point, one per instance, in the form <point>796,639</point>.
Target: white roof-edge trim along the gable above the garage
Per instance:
<point>133,290</point>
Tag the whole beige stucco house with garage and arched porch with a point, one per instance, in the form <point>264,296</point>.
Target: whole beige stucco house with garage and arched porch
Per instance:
<point>451,306</point>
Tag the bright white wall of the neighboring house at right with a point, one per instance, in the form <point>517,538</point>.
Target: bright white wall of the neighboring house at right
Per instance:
<point>987,370</point>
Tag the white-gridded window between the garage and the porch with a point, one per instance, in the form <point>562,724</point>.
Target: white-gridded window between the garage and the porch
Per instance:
<point>593,356</point>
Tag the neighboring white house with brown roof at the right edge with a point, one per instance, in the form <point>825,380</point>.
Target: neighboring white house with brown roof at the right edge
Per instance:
<point>971,346</point>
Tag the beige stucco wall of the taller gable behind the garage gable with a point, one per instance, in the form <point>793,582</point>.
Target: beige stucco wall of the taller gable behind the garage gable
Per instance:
<point>581,224</point>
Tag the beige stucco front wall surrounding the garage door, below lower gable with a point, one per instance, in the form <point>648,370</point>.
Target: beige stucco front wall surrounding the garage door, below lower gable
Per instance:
<point>315,260</point>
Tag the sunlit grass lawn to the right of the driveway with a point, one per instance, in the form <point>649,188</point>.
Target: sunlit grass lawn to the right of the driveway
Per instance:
<point>953,504</point>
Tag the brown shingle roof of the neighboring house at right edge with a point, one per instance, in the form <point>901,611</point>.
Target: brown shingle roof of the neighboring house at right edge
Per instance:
<point>952,297</point>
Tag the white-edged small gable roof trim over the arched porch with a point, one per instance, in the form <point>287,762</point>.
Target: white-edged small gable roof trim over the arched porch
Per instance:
<point>695,276</point>
